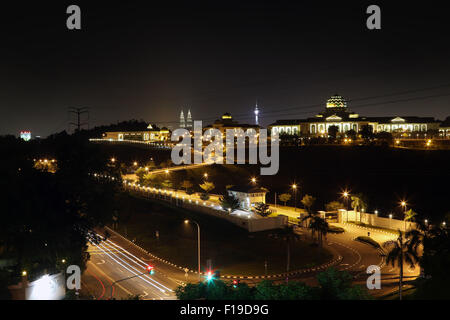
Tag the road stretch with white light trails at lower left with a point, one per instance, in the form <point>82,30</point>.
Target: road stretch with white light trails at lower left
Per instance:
<point>115,259</point>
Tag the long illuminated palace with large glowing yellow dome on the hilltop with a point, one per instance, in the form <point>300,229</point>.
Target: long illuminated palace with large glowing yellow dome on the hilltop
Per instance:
<point>337,114</point>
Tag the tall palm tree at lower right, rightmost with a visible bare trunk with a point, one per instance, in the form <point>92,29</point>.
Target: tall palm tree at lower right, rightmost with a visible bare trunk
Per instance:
<point>401,250</point>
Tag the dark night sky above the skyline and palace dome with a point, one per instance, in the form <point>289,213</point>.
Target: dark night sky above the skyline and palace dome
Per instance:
<point>144,60</point>
